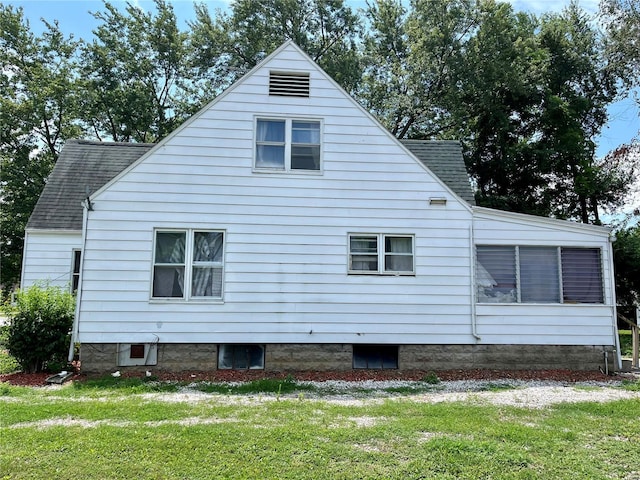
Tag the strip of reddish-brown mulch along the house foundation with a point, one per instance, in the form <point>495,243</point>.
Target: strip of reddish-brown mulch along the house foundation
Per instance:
<point>570,376</point>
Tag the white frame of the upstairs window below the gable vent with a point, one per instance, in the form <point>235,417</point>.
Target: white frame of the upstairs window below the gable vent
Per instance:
<point>288,145</point>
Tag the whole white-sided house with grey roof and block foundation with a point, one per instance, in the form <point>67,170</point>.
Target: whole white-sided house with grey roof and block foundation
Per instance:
<point>282,227</point>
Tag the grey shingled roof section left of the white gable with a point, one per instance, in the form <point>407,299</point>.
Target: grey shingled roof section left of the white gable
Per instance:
<point>82,167</point>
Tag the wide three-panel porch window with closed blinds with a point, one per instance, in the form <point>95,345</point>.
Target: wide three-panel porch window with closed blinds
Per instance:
<point>533,274</point>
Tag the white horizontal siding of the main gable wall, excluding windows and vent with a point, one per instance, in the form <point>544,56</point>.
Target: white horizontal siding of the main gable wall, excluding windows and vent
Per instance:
<point>285,269</point>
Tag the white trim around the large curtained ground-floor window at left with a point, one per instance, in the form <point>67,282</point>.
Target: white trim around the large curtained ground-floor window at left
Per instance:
<point>188,266</point>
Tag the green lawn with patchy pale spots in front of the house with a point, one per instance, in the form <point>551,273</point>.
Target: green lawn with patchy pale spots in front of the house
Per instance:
<point>125,429</point>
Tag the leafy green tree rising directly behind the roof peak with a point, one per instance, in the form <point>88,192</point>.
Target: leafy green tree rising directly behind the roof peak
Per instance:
<point>228,45</point>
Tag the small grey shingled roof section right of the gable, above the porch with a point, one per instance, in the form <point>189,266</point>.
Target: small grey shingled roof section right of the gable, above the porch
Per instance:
<point>444,159</point>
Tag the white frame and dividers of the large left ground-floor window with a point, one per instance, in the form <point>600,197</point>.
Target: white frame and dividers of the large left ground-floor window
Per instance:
<point>189,265</point>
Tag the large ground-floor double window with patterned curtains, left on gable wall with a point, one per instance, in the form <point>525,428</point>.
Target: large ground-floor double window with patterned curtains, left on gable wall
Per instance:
<point>188,264</point>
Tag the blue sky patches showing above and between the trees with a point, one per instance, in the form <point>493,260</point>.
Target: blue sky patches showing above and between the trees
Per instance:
<point>74,18</point>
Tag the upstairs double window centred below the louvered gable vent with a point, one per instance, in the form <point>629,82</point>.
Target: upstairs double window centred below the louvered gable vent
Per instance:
<point>287,144</point>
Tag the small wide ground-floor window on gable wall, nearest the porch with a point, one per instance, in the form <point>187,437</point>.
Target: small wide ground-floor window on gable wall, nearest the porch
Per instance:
<point>381,254</point>
